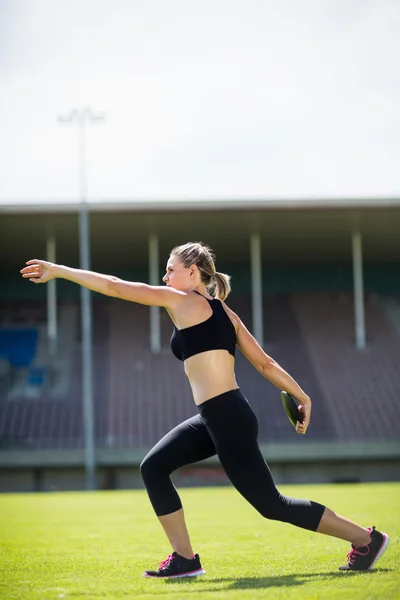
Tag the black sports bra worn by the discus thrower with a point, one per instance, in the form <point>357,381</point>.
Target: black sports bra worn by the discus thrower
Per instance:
<point>216,333</point>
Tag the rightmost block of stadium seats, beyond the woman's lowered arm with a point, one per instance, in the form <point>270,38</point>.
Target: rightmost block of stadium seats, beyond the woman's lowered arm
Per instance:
<point>361,387</point>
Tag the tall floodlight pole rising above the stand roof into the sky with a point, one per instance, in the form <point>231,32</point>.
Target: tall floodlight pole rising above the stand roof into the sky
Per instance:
<point>80,118</point>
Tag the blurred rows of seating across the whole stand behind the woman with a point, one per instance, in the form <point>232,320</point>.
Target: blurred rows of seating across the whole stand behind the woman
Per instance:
<point>139,396</point>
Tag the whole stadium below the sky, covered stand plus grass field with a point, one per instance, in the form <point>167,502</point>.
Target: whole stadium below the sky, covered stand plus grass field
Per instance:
<point>318,285</point>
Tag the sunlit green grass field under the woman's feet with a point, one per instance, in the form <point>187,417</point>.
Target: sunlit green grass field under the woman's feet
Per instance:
<point>97,545</point>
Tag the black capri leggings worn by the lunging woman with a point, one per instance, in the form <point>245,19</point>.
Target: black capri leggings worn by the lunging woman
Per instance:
<point>228,427</point>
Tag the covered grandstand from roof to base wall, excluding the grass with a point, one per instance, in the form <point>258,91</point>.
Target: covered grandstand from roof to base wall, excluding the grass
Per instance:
<point>317,282</point>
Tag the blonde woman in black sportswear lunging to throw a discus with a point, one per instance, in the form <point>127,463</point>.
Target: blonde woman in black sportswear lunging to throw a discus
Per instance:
<point>205,336</point>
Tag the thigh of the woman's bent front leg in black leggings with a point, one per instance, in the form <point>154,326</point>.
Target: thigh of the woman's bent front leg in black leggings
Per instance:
<point>187,443</point>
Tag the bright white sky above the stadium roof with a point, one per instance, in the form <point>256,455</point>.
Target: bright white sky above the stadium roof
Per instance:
<point>204,98</point>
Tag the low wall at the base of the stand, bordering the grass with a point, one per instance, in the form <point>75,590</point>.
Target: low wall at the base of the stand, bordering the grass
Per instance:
<point>290,464</point>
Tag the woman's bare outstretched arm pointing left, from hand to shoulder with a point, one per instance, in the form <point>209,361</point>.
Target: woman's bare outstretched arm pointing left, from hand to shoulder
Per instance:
<point>41,271</point>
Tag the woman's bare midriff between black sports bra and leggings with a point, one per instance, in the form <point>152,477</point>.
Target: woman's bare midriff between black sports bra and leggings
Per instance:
<point>210,374</point>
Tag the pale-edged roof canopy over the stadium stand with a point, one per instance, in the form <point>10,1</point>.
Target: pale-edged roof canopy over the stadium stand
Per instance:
<point>296,230</point>
